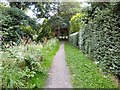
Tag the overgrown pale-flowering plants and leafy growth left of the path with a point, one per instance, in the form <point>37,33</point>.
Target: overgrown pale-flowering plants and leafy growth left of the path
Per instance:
<point>22,63</point>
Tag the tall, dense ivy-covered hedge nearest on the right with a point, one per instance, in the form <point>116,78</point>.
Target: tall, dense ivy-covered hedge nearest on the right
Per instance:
<point>100,38</point>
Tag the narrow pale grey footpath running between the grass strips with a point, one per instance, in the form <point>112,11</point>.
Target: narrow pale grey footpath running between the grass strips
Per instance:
<point>59,76</point>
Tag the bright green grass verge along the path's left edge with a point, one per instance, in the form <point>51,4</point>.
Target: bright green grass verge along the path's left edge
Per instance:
<point>40,79</point>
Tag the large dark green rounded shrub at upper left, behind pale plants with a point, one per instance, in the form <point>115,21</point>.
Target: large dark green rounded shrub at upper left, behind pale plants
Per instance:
<point>14,25</point>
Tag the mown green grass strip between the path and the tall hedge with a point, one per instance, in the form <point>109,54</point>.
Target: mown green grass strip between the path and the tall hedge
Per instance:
<point>84,72</point>
